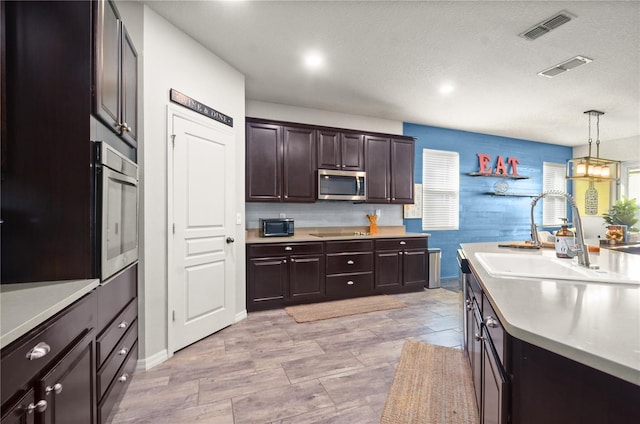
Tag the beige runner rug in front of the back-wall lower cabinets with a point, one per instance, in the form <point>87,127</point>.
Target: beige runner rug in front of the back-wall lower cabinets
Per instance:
<point>341,308</point>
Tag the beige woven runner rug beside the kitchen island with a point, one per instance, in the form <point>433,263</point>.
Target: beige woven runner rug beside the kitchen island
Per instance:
<point>432,385</point>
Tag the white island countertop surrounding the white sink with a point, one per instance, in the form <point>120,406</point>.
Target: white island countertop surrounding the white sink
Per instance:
<point>596,324</point>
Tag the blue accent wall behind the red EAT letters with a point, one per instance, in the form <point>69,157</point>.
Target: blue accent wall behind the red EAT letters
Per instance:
<point>484,218</point>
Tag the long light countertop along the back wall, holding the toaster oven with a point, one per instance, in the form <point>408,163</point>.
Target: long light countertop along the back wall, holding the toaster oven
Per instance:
<point>332,233</point>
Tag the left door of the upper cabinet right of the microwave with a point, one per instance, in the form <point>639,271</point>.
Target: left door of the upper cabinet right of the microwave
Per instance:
<point>378,167</point>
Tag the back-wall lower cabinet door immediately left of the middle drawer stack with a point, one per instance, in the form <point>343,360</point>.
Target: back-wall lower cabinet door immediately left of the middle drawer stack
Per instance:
<point>306,278</point>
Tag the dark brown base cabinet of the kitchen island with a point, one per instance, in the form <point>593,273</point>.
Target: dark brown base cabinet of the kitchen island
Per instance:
<point>519,383</point>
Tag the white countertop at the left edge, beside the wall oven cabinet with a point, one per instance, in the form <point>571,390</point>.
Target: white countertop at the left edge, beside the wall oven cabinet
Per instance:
<point>24,306</point>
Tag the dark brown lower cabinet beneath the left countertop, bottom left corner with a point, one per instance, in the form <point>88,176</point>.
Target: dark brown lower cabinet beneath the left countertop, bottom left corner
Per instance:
<point>57,384</point>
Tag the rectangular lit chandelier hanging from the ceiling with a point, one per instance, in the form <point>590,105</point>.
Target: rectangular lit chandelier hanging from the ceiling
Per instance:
<point>592,168</point>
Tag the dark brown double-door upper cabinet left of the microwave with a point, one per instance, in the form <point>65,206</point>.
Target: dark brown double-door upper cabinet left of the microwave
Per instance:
<point>281,163</point>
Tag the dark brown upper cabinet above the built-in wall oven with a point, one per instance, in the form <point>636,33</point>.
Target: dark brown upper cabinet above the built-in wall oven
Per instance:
<point>116,74</point>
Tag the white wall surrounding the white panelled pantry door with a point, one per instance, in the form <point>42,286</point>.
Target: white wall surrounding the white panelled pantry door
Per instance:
<point>171,59</point>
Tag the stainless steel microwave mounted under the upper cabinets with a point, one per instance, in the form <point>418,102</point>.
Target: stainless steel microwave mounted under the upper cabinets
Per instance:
<point>341,185</point>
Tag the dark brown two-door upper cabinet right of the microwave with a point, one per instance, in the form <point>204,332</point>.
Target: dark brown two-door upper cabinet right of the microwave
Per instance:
<point>389,166</point>
